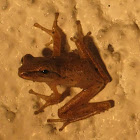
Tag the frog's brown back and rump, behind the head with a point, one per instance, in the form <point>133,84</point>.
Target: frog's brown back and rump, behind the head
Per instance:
<point>79,72</point>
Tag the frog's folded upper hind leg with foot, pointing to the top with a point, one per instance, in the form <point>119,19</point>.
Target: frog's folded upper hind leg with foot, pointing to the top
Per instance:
<point>87,49</point>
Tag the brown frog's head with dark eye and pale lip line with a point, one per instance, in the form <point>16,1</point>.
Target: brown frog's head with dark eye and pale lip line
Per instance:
<point>39,69</point>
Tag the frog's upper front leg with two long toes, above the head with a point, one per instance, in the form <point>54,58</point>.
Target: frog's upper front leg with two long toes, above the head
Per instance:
<point>59,38</point>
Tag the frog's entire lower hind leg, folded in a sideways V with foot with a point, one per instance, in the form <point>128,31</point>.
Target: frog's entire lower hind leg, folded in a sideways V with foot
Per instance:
<point>79,108</point>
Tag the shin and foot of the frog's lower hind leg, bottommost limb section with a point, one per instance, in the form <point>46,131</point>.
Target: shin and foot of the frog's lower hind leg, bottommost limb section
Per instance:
<point>82,112</point>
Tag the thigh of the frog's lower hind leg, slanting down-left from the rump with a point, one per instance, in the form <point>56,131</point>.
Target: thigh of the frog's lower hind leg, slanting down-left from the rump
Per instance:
<point>80,101</point>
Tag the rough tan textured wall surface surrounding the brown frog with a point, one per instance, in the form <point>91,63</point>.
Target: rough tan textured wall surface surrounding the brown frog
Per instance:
<point>111,22</point>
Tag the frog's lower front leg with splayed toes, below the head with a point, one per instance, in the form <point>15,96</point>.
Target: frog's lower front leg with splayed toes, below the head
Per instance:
<point>50,100</point>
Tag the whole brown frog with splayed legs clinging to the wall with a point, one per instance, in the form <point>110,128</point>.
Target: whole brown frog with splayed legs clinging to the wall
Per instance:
<point>83,68</point>
